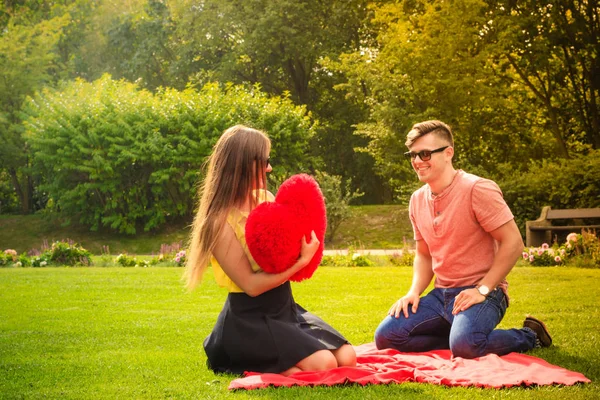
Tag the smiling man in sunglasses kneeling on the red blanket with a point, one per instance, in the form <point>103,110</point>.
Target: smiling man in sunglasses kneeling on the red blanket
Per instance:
<point>466,236</point>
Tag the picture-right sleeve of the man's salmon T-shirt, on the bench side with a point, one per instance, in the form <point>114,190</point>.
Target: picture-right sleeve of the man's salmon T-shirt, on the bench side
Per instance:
<point>489,206</point>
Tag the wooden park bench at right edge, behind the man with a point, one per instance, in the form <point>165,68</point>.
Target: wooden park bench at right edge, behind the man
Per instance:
<point>540,230</point>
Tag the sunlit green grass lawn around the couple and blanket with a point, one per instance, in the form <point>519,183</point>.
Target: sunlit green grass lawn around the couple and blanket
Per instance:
<point>106,333</point>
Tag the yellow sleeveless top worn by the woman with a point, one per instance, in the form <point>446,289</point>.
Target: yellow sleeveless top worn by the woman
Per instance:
<point>237,220</point>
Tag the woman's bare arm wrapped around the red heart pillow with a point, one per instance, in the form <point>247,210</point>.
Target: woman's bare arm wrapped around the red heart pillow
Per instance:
<point>234,262</point>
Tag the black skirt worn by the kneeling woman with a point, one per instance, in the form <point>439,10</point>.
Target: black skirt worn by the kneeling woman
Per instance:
<point>266,333</point>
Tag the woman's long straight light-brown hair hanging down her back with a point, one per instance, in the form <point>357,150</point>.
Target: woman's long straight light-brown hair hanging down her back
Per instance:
<point>236,165</point>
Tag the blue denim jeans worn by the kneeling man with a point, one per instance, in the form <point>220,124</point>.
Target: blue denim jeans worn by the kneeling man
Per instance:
<point>469,334</point>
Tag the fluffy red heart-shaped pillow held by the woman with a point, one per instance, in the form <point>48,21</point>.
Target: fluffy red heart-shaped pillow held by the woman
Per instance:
<point>274,229</point>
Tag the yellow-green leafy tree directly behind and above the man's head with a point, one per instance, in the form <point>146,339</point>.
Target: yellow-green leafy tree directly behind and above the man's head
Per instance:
<point>413,70</point>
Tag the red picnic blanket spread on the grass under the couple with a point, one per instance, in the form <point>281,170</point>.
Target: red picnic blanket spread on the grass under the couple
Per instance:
<point>438,367</point>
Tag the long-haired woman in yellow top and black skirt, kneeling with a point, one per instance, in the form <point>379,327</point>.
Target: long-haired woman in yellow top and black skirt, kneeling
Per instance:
<point>261,328</point>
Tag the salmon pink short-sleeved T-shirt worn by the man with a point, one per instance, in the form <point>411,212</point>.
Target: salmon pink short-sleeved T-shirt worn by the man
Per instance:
<point>456,223</point>
